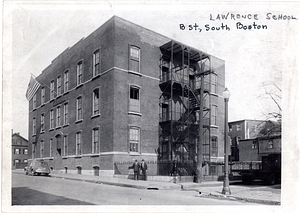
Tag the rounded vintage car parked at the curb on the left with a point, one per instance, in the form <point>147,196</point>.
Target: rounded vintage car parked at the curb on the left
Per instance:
<point>37,167</point>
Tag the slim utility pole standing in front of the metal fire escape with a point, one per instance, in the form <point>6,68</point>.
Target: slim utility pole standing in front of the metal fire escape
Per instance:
<point>200,142</point>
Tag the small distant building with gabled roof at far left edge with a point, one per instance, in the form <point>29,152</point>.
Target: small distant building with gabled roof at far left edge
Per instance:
<point>19,151</point>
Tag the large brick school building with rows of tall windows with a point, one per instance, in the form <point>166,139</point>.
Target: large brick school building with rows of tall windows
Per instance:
<point>100,104</point>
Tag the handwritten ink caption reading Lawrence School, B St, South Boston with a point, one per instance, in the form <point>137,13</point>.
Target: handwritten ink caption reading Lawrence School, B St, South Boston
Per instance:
<point>238,25</point>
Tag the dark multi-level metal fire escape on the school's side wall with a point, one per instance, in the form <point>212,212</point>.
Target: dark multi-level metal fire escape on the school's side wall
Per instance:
<point>182,69</point>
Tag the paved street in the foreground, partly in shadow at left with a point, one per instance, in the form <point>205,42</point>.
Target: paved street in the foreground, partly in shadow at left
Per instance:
<point>40,190</point>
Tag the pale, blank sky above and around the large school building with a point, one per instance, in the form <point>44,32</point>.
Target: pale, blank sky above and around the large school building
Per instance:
<point>38,33</point>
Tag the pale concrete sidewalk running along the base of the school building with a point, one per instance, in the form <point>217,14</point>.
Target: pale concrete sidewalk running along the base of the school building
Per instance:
<point>270,195</point>
